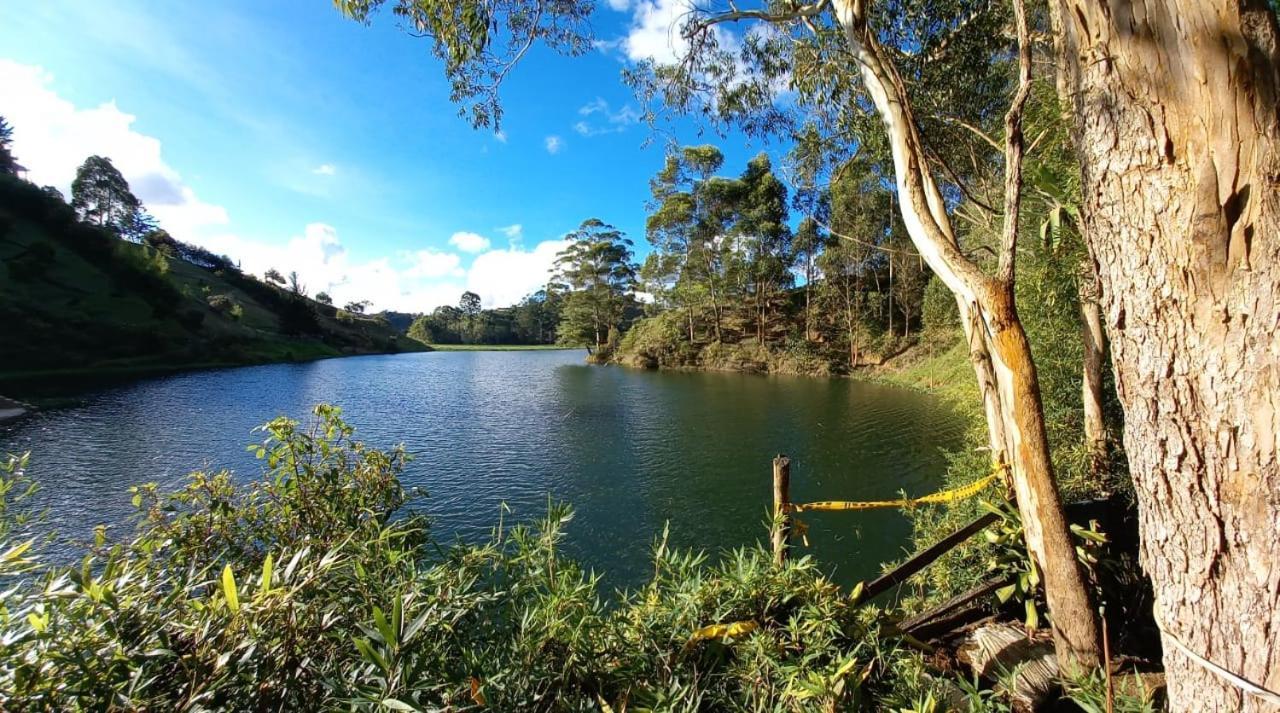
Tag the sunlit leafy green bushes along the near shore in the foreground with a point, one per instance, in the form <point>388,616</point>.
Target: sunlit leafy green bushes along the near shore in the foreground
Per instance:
<point>317,587</point>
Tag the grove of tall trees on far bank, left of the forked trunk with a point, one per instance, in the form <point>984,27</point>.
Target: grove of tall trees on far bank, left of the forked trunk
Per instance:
<point>726,259</point>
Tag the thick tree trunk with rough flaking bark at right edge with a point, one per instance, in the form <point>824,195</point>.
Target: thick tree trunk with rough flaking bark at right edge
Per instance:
<point>1180,141</point>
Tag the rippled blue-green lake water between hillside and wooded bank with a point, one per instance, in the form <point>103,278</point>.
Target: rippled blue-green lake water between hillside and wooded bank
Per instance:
<point>629,450</point>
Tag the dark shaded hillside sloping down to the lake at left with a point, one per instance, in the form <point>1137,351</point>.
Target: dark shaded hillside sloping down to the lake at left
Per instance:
<point>77,299</point>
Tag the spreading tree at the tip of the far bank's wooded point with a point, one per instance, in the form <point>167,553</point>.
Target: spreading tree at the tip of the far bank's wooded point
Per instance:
<point>601,276</point>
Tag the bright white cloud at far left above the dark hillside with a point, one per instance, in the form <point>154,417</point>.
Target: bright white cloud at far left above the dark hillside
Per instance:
<point>53,138</point>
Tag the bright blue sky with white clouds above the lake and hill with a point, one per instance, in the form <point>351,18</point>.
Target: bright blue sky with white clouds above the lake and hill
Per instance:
<point>289,136</point>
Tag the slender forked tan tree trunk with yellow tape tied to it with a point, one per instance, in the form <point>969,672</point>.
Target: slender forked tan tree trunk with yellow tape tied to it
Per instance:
<point>989,313</point>
